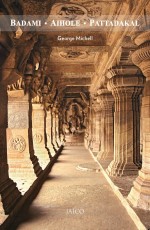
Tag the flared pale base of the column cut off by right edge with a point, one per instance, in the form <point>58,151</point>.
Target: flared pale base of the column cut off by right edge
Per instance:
<point>139,195</point>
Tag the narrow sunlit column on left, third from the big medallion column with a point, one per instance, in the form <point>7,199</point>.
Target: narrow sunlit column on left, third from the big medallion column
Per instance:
<point>49,133</point>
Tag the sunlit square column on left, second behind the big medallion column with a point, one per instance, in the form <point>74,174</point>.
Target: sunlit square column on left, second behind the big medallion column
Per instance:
<point>39,142</point>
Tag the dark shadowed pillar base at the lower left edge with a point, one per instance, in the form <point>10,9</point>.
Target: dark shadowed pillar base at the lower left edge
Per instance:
<point>9,195</point>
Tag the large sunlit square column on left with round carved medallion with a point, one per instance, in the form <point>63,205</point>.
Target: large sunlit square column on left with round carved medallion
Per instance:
<point>21,169</point>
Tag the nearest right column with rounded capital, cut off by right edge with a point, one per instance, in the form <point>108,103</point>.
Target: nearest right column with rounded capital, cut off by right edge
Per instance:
<point>139,195</point>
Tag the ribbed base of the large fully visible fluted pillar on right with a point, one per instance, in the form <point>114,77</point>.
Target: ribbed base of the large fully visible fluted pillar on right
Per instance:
<point>117,169</point>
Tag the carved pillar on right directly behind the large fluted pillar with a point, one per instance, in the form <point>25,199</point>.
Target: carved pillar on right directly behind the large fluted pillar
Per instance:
<point>106,102</point>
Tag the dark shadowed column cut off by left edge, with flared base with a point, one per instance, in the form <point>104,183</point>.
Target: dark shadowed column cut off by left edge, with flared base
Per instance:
<point>9,194</point>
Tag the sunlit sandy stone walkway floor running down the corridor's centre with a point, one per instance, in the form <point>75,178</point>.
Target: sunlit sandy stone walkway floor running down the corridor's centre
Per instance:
<point>72,199</point>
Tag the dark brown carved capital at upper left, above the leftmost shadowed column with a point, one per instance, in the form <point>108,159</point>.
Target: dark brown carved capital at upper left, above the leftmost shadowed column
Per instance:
<point>15,63</point>
